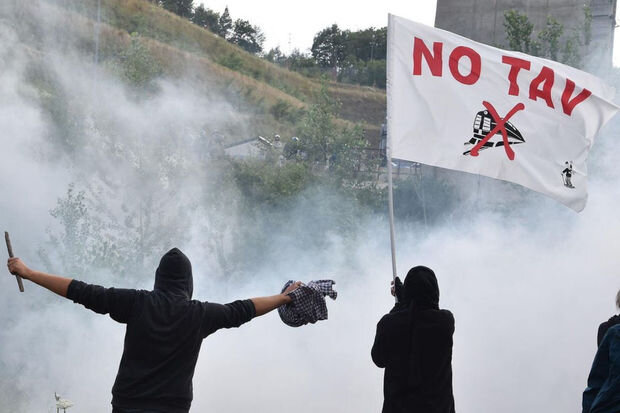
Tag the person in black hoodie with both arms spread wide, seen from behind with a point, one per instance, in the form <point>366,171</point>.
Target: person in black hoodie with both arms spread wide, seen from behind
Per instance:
<point>165,329</point>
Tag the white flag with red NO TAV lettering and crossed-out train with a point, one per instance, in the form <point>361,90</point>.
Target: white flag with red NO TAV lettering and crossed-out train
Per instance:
<point>463,105</point>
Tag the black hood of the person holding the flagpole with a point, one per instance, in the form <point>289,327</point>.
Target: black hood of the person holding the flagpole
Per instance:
<point>421,289</point>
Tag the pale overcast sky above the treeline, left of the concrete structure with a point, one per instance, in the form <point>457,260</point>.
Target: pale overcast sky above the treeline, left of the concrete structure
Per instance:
<point>287,22</point>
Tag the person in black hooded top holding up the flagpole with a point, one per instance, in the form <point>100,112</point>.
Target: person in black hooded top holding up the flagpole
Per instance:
<point>414,345</point>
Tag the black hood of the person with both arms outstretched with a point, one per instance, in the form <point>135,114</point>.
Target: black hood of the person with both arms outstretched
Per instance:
<point>174,274</point>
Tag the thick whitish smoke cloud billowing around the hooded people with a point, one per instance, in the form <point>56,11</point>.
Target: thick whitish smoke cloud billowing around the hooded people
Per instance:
<point>528,285</point>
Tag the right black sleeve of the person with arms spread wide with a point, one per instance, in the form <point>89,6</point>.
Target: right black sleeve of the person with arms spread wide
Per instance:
<point>229,315</point>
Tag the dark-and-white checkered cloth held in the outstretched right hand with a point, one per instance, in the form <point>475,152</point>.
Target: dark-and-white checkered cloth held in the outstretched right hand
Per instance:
<point>308,305</point>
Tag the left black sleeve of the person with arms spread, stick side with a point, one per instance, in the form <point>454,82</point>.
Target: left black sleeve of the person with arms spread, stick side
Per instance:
<point>117,302</point>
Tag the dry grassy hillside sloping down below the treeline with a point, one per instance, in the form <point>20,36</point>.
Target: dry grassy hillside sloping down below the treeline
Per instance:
<point>270,97</point>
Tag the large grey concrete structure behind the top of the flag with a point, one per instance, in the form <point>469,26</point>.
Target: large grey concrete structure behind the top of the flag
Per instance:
<point>483,21</point>
